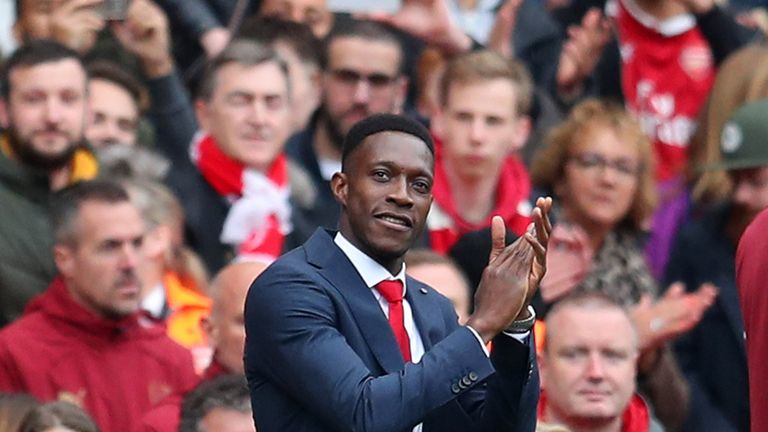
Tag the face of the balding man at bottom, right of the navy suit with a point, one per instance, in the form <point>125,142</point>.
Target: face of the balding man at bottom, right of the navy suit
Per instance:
<point>588,366</point>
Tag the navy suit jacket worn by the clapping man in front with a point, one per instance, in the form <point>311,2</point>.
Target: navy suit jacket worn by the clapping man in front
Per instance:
<point>320,356</point>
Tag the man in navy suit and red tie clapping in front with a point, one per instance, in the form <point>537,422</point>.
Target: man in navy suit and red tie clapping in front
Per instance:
<point>328,347</point>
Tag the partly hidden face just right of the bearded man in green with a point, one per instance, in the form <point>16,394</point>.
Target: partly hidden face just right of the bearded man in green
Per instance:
<point>114,115</point>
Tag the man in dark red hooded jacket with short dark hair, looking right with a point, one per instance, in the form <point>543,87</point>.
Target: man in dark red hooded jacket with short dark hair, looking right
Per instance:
<point>84,340</point>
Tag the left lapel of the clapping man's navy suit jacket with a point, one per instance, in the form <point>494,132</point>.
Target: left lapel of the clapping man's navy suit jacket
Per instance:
<point>336,268</point>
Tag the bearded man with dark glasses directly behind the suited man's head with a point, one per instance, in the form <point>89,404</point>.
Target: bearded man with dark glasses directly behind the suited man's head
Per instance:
<point>362,75</point>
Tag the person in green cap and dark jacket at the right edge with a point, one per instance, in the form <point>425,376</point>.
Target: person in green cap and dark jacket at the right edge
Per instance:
<point>718,397</point>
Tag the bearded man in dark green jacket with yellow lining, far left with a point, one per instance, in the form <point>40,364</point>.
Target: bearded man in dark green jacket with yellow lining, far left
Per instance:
<point>43,111</point>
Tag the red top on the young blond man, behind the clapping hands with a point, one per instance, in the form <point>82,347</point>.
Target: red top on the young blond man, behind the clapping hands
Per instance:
<point>447,226</point>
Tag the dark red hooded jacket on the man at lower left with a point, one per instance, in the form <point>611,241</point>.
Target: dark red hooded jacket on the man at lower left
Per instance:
<point>115,370</point>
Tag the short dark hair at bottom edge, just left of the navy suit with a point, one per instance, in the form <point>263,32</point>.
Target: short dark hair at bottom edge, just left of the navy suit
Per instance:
<point>225,391</point>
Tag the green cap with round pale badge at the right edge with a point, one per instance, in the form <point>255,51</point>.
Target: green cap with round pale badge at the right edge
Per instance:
<point>744,140</point>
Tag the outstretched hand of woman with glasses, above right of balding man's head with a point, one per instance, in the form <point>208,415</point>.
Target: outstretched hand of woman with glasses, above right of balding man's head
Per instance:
<point>672,315</point>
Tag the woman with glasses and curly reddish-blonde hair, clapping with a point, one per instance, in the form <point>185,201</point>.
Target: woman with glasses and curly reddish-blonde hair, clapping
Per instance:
<point>598,165</point>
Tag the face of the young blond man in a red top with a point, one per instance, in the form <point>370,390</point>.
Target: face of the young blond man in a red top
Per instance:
<point>480,128</point>
